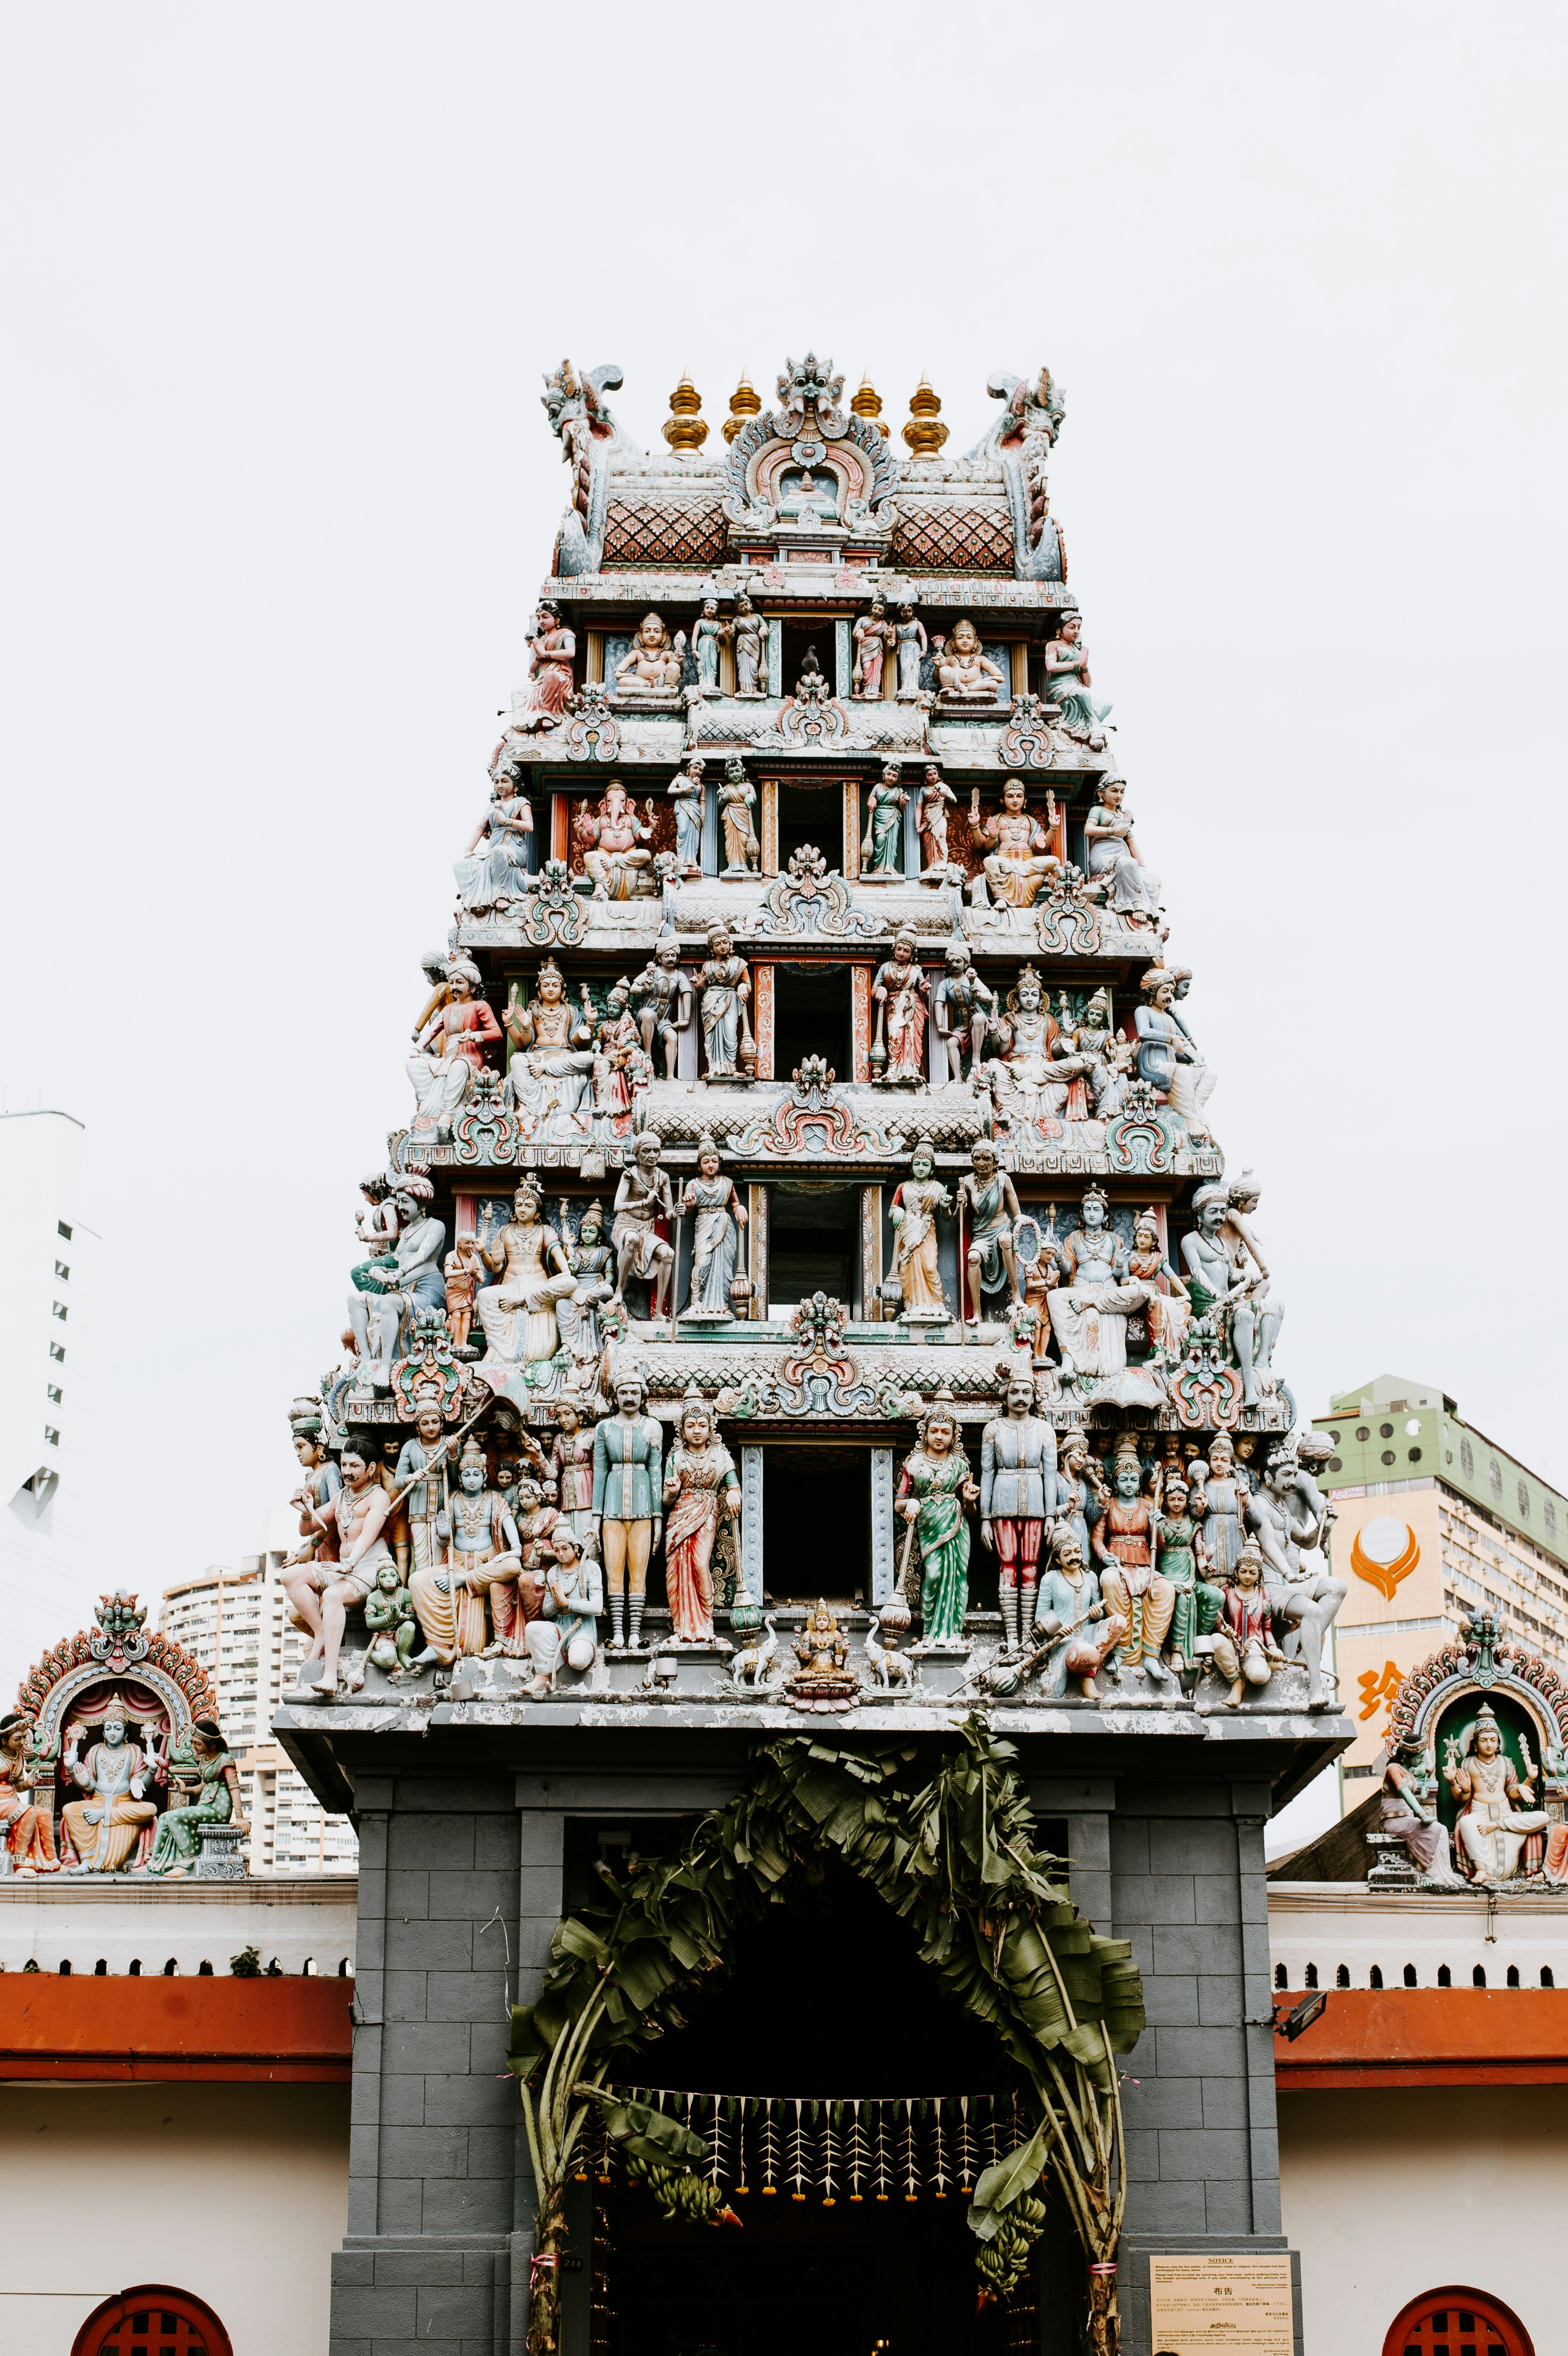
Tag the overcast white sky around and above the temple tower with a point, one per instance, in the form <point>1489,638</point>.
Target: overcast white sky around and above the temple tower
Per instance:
<point>281,286</point>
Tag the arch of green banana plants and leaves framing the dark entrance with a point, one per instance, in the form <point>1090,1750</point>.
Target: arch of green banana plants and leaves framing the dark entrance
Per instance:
<point>955,1855</point>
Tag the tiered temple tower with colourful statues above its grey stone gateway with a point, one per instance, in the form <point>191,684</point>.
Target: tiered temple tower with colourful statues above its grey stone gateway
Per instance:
<point>816,1589</point>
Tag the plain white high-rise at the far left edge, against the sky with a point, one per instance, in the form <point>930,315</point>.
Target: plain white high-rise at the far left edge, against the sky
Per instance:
<point>46,1318</point>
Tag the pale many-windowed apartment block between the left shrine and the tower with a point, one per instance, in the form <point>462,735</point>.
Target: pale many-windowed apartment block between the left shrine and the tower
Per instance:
<point>239,1629</point>
